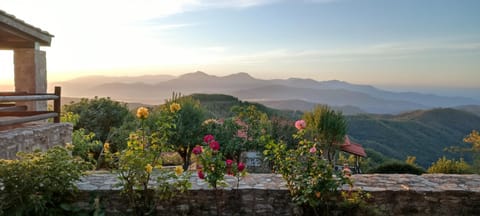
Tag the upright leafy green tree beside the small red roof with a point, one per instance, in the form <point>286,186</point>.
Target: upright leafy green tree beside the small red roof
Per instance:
<point>328,128</point>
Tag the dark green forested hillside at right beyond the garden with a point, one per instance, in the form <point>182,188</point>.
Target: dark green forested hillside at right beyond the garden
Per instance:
<point>423,134</point>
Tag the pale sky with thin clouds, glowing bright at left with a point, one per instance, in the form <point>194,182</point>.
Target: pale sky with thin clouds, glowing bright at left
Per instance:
<point>390,43</point>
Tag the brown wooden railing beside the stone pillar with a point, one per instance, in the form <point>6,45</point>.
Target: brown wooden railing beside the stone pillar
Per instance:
<point>20,113</point>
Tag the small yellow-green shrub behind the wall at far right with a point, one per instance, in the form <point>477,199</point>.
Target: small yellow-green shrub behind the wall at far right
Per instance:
<point>444,165</point>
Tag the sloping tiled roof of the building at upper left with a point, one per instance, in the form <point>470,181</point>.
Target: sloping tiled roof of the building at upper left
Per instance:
<point>15,33</point>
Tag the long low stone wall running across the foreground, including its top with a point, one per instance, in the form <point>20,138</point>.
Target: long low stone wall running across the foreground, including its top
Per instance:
<point>266,194</point>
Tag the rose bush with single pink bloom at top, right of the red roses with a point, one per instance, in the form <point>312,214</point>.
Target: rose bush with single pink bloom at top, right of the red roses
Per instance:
<point>310,178</point>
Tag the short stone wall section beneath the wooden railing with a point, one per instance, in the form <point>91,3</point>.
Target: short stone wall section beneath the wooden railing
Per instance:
<point>33,136</point>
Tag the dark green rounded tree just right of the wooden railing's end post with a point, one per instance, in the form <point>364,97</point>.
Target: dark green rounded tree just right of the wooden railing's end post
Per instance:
<point>99,115</point>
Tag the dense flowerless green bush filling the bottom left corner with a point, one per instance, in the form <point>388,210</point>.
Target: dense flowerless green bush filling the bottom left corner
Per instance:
<point>39,183</point>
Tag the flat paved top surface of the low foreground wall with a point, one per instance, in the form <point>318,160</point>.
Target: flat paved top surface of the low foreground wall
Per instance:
<point>101,180</point>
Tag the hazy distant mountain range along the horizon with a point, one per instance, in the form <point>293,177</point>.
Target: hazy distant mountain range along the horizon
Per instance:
<point>292,93</point>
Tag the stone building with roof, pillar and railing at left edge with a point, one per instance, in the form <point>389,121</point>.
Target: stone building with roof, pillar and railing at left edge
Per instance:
<point>21,110</point>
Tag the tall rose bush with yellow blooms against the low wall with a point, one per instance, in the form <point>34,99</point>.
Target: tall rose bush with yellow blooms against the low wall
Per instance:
<point>136,164</point>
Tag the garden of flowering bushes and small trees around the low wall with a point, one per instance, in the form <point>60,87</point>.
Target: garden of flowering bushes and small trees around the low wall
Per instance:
<point>155,152</point>
